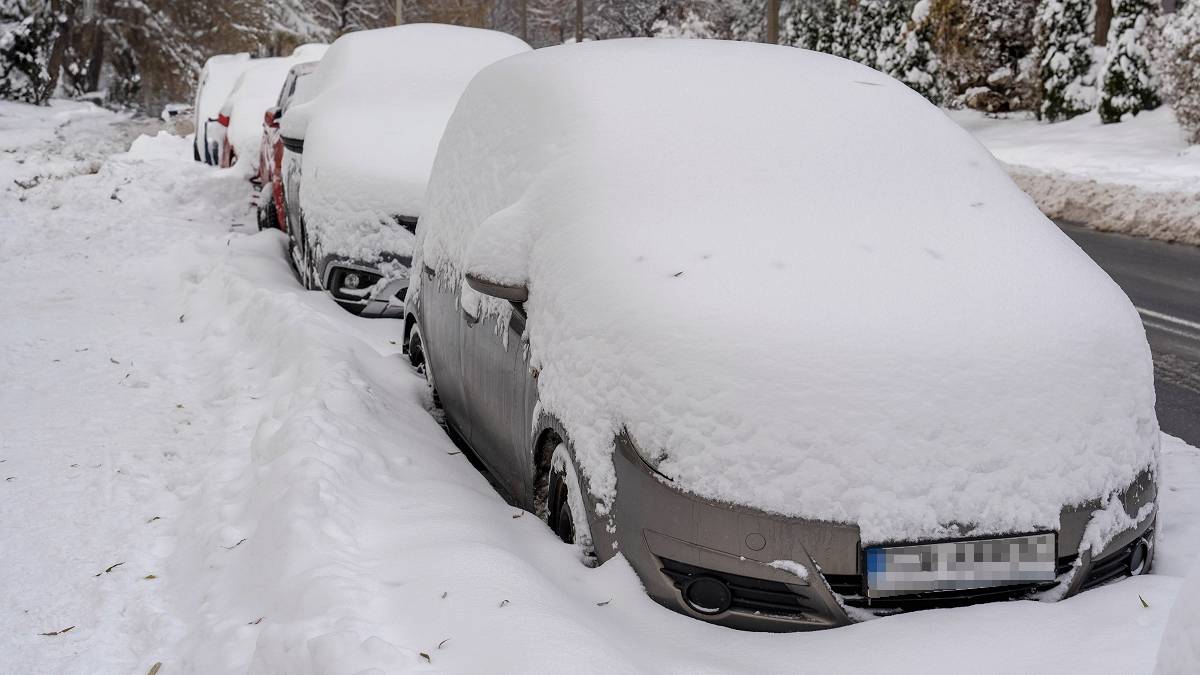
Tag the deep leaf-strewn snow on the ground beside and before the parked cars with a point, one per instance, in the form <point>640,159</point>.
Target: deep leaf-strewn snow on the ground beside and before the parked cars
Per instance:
<point>311,515</point>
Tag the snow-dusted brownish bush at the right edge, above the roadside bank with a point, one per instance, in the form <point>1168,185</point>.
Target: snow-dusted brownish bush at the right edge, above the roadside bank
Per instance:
<point>1179,62</point>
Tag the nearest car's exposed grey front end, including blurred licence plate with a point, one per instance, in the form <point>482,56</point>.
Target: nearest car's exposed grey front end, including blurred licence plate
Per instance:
<point>751,570</point>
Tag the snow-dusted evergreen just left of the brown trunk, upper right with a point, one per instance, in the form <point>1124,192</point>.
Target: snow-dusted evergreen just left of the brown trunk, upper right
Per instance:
<point>1065,31</point>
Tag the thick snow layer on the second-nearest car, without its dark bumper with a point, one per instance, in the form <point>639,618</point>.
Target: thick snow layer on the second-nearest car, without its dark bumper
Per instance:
<point>371,120</point>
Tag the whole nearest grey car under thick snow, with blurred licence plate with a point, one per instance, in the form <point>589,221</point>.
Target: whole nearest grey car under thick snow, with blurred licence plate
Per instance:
<point>799,354</point>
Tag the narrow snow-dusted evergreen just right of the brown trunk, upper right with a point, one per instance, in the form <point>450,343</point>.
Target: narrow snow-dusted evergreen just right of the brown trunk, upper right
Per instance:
<point>1129,82</point>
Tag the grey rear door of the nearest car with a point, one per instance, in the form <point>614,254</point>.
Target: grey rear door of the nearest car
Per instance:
<point>443,332</point>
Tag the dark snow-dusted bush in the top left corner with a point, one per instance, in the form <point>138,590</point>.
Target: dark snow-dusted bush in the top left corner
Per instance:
<point>28,31</point>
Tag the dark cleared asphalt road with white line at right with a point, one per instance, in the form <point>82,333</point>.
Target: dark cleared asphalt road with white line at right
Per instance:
<point>1163,282</point>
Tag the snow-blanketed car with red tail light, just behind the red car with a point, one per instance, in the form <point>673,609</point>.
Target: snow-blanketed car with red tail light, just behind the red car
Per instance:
<point>256,89</point>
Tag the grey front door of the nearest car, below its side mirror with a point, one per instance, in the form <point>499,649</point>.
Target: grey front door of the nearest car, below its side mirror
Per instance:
<point>496,375</point>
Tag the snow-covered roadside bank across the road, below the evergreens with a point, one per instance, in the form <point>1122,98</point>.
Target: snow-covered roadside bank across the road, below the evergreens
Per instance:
<point>1138,177</point>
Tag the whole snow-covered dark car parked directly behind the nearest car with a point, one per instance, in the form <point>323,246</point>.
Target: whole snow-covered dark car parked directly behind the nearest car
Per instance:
<point>358,151</point>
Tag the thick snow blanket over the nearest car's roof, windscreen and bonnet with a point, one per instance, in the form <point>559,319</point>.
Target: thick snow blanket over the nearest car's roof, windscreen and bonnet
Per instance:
<point>824,301</point>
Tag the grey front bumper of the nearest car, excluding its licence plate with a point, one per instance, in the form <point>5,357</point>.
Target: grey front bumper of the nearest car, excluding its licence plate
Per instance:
<point>673,539</point>
